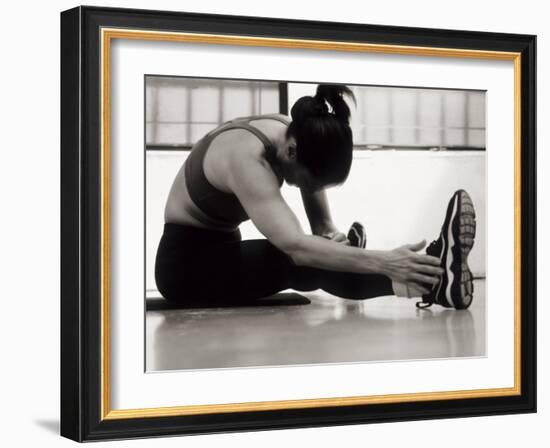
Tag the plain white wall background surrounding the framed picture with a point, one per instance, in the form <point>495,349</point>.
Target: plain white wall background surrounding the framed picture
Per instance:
<point>29,181</point>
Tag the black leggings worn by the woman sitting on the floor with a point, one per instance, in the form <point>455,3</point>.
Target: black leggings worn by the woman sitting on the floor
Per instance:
<point>197,266</point>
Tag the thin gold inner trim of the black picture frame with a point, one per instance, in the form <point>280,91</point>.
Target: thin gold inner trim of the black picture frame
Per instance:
<point>107,35</point>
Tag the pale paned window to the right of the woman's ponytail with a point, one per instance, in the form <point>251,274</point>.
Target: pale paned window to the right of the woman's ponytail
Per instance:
<point>411,118</point>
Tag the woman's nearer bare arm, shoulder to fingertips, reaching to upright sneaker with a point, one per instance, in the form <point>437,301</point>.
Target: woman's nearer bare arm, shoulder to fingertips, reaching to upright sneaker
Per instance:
<point>252,180</point>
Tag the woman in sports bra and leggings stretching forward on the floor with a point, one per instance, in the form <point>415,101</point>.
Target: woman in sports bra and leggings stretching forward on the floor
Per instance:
<point>235,172</point>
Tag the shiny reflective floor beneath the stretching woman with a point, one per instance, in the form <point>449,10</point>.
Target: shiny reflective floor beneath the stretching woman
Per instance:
<point>326,330</point>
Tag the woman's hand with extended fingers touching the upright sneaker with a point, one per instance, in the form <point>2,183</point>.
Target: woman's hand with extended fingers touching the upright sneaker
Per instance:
<point>405,265</point>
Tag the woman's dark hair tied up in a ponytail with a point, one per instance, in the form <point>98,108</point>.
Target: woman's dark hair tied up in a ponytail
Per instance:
<point>324,140</point>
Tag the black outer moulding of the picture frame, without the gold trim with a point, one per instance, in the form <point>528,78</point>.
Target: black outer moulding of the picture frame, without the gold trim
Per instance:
<point>81,216</point>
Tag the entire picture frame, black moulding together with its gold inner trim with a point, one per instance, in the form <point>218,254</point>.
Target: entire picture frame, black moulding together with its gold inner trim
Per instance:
<point>87,34</point>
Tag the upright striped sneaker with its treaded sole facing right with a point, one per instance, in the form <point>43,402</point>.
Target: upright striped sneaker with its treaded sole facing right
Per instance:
<point>456,288</point>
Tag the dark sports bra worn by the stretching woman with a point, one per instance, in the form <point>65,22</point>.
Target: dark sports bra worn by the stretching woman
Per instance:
<point>219,205</point>
